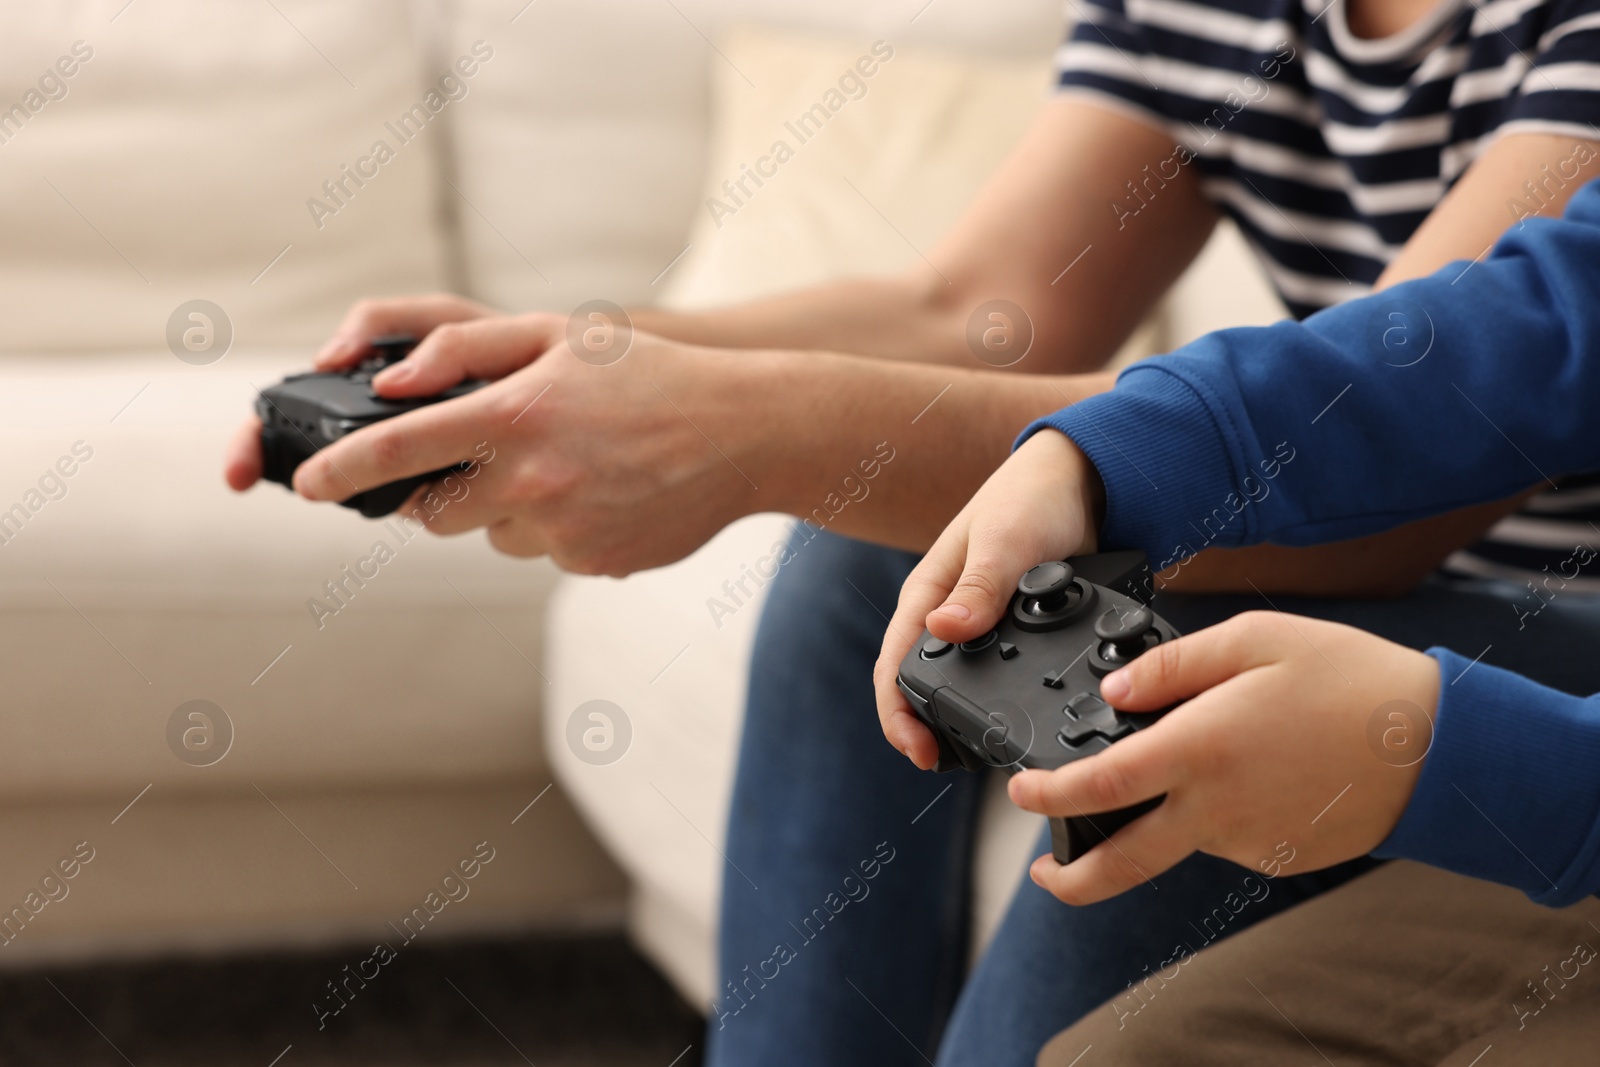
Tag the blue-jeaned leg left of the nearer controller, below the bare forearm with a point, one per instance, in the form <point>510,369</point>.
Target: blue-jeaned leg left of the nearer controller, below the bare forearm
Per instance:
<point>846,897</point>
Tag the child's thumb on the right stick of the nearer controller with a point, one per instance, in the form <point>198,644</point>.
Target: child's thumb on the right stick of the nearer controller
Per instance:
<point>1196,663</point>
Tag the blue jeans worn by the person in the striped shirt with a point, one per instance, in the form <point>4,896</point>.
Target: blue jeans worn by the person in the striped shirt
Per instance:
<point>847,892</point>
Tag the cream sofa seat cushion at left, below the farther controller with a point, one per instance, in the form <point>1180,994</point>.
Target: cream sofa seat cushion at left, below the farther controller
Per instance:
<point>138,583</point>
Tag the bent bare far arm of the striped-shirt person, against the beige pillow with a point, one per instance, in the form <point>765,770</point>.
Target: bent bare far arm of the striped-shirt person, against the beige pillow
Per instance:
<point>1039,236</point>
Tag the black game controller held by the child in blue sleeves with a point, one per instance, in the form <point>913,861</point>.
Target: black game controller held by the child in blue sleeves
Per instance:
<point>1026,695</point>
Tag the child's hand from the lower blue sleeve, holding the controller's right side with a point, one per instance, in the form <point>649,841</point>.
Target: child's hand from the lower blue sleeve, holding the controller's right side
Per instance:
<point>1303,740</point>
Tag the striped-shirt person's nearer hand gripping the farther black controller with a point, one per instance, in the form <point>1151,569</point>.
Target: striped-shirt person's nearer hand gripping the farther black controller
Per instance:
<point>606,470</point>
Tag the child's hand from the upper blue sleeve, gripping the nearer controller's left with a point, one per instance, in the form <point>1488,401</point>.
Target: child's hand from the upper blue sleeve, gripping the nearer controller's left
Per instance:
<point>1042,505</point>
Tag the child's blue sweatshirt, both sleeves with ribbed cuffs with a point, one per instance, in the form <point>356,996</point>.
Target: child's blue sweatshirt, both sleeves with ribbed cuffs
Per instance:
<point>1457,390</point>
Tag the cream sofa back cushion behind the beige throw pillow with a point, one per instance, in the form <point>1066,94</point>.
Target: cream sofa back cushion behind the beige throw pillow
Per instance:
<point>582,158</point>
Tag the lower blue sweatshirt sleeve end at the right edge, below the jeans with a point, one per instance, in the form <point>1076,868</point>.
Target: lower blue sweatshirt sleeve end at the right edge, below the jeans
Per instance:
<point>1511,788</point>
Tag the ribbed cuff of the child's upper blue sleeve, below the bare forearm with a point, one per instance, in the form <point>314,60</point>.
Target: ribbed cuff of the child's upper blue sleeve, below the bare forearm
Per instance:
<point>1170,494</point>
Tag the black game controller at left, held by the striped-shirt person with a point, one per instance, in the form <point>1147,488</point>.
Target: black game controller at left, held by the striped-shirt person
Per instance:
<point>306,414</point>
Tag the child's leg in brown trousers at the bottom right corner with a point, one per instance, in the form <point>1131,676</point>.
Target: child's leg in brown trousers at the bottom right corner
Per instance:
<point>1407,965</point>
